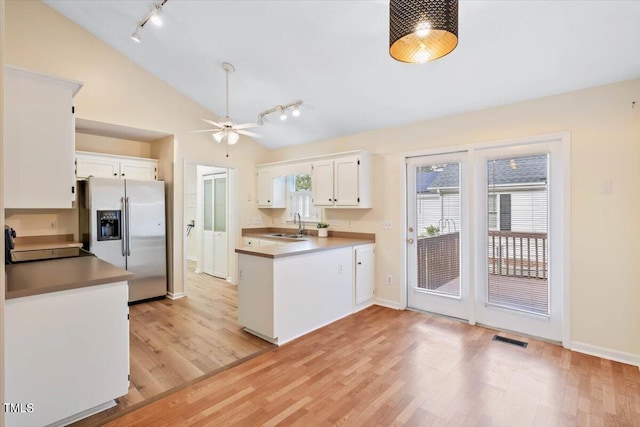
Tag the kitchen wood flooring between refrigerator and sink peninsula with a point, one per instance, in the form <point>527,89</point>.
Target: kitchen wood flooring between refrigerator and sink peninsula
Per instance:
<point>174,342</point>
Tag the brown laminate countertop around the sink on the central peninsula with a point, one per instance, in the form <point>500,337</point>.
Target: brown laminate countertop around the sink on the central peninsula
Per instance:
<point>290,247</point>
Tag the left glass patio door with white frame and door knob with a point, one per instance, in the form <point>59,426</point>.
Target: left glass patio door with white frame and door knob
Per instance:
<point>437,236</point>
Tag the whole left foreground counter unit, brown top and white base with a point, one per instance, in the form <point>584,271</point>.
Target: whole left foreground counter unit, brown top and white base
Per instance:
<point>66,325</point>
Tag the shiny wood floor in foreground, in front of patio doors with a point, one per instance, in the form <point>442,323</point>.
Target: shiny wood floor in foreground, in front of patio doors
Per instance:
<point>382,367</point>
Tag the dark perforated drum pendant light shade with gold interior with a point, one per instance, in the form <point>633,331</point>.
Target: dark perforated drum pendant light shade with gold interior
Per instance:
<point>422,30</point>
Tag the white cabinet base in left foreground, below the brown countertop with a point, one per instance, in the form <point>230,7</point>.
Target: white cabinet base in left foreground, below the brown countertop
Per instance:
<point>66,353</point>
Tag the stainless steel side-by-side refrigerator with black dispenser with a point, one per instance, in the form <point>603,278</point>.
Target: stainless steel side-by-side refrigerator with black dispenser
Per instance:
<point>124,224</point>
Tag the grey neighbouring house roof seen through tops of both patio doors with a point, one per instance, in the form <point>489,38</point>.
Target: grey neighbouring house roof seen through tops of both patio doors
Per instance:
<point>502,171</point>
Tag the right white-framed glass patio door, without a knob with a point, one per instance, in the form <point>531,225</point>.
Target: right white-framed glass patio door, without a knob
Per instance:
<point>519,245</point>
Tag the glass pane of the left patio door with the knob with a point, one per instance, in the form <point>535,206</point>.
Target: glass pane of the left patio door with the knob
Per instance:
<point>438,234</point>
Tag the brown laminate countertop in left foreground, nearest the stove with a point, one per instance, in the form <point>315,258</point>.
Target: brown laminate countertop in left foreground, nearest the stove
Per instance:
<point>41,277</point>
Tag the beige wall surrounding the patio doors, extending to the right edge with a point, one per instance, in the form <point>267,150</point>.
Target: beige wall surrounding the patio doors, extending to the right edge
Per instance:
<point>605,229</point>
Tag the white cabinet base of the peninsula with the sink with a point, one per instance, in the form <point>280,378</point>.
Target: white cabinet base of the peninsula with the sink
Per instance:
<point>280,299</point>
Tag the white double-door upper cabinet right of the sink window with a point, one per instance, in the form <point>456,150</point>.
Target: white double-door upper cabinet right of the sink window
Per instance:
<point>343,181</point>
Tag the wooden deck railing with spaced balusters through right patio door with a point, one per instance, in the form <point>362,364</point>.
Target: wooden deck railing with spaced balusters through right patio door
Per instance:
<point>520,254</point>
